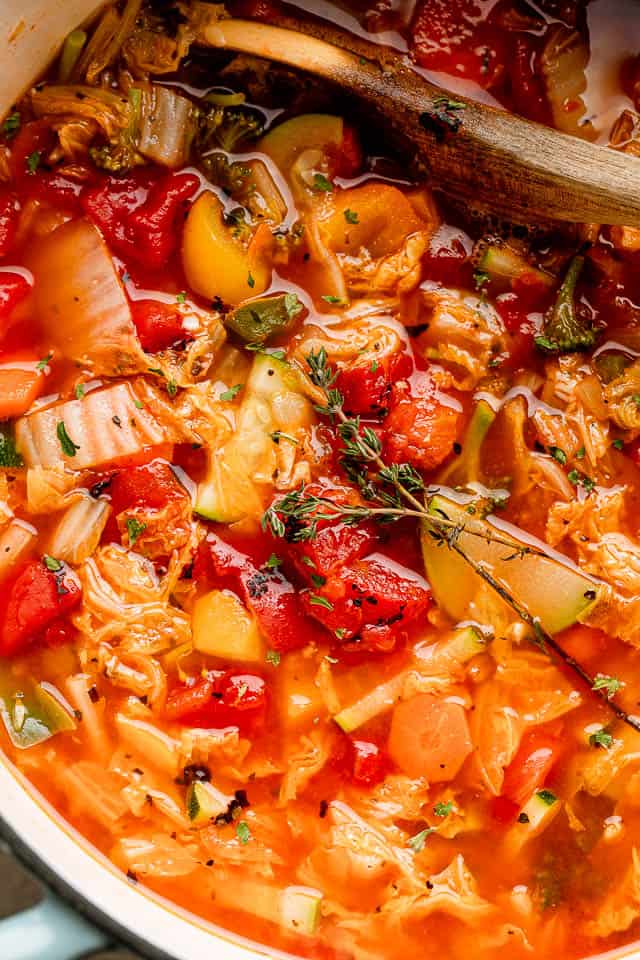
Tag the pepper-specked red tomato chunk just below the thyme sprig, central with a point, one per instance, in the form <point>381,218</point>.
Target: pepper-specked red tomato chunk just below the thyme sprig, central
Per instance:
<point>368,604</point>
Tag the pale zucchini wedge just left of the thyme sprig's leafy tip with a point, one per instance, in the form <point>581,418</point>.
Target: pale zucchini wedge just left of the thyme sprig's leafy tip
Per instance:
<point>272,401</point>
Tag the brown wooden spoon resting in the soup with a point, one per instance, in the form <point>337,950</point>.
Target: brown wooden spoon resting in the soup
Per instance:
<point>487,156</point>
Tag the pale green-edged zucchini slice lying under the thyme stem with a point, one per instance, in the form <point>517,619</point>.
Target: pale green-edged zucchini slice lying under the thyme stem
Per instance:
<point>556,593</point>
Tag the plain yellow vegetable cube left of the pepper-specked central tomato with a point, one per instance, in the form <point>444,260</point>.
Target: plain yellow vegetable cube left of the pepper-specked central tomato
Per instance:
<point>222,627</point>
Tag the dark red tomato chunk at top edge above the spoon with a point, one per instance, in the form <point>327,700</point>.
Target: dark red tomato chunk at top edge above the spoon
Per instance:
<point>453,37</point>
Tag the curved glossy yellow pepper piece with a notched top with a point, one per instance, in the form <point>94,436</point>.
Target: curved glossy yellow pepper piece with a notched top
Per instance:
<point>216,263</point>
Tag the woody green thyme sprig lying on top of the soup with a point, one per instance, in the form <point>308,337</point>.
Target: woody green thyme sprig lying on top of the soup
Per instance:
<point>393,488</point>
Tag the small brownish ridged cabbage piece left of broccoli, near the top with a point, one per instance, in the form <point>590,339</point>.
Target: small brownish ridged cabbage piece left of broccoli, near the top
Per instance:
<point>167,126</point>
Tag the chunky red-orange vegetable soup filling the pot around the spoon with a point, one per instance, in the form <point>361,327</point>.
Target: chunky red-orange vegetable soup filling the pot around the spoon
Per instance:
<point>319,501</point>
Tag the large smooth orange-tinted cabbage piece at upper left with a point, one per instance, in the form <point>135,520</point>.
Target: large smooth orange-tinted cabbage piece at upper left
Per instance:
<point>80,301</point>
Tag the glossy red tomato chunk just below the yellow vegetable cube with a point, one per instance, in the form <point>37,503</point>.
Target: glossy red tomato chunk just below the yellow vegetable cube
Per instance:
<point>220,699</point>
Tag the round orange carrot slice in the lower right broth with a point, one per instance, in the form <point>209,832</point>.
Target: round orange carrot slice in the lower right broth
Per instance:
<point>429,737</point>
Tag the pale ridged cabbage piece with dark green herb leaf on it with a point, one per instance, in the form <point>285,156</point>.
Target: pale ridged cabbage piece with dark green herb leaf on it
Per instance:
<point>105,425</point>
